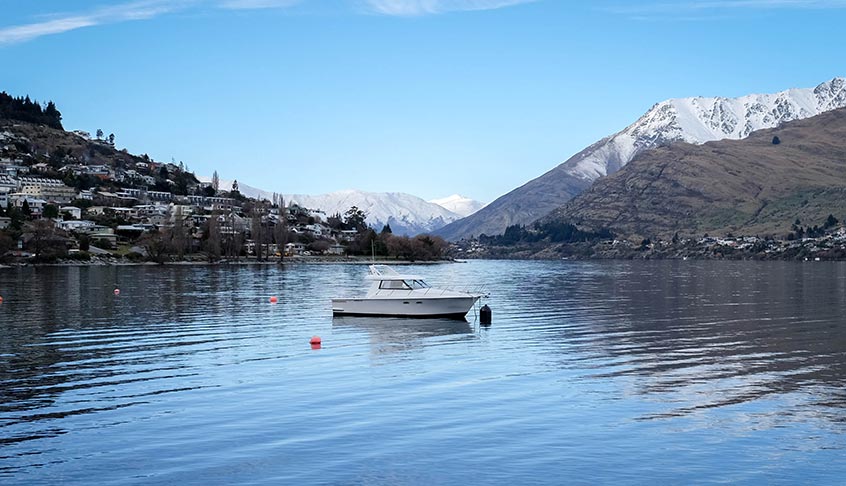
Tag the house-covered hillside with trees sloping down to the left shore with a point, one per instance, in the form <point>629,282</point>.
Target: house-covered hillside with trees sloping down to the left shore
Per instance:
<point>68,205</point>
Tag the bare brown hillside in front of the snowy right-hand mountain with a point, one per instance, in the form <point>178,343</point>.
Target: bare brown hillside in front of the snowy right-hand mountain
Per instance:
<point>756,186</point>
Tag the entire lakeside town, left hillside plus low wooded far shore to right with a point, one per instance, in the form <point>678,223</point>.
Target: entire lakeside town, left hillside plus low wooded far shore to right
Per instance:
<point>70,197</point>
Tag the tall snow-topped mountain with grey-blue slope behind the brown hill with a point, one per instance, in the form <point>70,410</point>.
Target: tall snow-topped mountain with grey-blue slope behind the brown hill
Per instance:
<point>692,120</point>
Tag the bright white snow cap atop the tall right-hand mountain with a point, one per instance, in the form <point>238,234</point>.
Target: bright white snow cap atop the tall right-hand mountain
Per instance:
<point>701,119</point>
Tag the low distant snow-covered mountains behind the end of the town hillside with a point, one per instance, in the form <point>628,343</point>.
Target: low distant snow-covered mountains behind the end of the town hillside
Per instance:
<point>407,214</point>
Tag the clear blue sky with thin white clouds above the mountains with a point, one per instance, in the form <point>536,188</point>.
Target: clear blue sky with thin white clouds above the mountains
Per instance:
<point>429,97</point>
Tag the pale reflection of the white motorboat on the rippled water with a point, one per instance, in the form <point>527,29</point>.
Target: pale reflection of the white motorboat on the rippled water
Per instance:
<point>390,335</point>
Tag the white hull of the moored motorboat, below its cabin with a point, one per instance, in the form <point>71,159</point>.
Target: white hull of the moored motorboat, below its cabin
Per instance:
<point>455,307</point>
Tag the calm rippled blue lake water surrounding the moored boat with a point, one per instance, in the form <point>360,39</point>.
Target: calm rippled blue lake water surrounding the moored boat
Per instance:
<point>609,372</point>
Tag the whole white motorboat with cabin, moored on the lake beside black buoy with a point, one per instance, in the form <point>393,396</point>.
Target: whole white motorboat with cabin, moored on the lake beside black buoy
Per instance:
<point>394,294</point>
